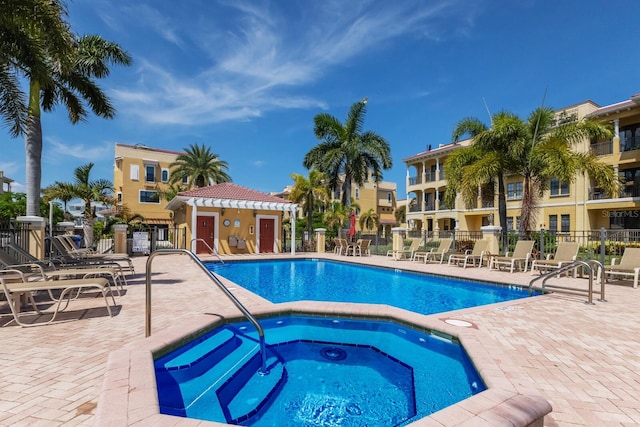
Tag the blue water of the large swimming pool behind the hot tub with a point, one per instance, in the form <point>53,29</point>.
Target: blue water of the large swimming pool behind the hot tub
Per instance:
<point>320,280</point>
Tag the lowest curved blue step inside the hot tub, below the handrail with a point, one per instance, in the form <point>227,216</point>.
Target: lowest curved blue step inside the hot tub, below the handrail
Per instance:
<point>249,390</point>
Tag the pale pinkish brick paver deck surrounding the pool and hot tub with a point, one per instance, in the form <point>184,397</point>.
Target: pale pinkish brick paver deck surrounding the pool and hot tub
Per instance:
<point>584,359</point>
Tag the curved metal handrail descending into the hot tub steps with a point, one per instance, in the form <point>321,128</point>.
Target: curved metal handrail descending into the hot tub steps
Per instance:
<point>223,288</point>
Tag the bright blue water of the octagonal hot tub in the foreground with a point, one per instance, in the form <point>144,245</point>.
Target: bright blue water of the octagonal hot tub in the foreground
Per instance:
<point>322,372</point>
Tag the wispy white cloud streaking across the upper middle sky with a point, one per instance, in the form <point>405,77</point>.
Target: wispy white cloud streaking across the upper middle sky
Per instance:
<point>256,57</point>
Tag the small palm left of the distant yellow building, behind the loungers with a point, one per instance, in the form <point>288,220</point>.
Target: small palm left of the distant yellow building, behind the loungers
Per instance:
<point>89,191</point>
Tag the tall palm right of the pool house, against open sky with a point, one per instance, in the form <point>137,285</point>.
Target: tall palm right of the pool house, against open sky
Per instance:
<point>347,151</point>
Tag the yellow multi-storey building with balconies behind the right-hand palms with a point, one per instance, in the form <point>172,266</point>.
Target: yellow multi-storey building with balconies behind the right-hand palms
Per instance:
<point>564,207</point>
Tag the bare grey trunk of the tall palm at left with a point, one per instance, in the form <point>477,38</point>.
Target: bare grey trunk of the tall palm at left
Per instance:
<point>33,160</point>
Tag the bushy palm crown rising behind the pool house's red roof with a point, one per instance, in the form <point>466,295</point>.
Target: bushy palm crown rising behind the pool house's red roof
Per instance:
<point>199,166</point>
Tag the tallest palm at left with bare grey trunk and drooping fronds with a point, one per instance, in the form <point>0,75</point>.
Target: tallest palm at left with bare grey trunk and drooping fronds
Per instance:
<point>71,84</point>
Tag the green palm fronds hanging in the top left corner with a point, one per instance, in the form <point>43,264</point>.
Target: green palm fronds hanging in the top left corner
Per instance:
<point>28,30</point>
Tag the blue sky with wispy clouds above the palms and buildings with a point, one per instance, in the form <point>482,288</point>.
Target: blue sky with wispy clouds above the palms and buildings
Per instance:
<point>247,77</point>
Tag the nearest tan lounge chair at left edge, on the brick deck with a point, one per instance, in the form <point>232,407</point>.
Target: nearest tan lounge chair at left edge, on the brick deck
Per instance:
<point>15,285</point>
